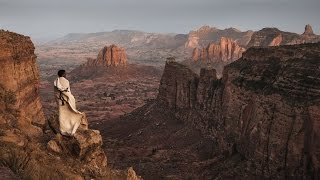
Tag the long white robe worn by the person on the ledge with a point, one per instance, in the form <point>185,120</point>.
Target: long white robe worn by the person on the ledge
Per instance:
<point>69,117</point>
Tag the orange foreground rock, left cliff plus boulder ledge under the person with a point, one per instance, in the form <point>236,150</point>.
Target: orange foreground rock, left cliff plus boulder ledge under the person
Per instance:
<point>27,146</point>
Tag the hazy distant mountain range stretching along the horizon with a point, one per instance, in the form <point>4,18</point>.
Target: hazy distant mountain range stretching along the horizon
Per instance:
<point>154,48</point>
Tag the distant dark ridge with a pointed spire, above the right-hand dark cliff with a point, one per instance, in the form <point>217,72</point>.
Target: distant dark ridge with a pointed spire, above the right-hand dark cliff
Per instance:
<point>275,37</point>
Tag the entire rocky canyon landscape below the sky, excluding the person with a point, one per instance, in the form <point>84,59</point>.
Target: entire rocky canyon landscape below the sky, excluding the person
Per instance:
<point>227,104</point>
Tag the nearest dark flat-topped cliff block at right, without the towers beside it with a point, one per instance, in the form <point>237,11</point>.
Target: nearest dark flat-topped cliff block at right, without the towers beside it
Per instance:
<point>269,100</point>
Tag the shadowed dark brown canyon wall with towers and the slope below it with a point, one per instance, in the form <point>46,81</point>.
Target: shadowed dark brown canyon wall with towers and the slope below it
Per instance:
<point>258,121</point>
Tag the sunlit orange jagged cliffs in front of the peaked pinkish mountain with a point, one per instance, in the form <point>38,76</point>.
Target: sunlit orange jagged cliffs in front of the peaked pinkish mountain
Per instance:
<point>226,51</point>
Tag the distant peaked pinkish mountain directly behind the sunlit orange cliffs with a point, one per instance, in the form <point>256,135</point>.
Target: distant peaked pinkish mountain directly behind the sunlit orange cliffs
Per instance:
<point>206,34</point>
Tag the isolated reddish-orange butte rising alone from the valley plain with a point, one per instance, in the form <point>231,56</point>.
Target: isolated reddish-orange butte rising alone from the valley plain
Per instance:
<point>110,56</point>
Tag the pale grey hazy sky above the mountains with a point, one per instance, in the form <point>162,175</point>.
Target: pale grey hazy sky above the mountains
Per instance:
<point>54,18</point>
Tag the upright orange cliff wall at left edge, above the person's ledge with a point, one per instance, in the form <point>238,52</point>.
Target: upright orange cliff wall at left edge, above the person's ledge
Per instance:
<point>19,82</point>
